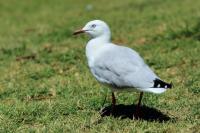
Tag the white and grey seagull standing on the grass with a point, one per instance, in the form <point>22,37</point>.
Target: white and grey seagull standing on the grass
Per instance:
<point>120,68</point>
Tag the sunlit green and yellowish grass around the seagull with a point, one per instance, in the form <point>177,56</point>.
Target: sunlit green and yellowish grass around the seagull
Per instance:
<point>45,85</point>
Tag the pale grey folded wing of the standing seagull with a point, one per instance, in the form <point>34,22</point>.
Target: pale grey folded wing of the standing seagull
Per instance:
<point>123,67</point>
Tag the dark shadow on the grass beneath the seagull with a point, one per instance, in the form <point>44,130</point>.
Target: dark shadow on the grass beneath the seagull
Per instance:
<point>128,111</point>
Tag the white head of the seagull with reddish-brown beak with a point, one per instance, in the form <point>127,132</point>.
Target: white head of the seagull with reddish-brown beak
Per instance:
<point>95,28</point>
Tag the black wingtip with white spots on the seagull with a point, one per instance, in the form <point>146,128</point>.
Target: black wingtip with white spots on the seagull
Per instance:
<point>161,84</point>
